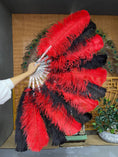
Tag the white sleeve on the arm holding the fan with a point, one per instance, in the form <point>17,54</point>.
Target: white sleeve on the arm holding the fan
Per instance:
<point>5,90</point>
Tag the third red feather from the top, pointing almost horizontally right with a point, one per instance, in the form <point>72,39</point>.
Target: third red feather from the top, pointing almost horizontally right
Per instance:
<point>76,80</point>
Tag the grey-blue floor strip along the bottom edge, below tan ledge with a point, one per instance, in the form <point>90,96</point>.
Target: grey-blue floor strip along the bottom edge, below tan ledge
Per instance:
<point>90,151</point>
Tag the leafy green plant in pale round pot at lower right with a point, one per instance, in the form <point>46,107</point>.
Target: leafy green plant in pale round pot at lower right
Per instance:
<point>106,121</point>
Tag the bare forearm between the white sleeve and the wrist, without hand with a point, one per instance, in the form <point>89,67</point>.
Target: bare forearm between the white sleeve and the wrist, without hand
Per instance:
<point>19,78</point>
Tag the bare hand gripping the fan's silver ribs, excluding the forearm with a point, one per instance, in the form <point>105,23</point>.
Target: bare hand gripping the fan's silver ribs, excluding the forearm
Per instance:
<point>32,68</point>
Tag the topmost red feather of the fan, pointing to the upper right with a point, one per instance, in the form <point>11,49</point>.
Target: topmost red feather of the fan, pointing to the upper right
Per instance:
<point>57,36</point>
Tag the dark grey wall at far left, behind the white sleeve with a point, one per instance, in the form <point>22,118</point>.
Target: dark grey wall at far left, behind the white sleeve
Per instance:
<point>6,71</point>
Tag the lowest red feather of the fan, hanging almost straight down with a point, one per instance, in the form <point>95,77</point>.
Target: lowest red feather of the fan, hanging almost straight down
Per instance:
<point>33,125</point>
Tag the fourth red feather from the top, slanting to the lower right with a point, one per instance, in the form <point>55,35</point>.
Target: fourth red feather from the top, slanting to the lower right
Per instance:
<point>81,103</point>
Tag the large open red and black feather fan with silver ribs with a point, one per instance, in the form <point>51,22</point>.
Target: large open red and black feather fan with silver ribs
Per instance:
<point>66,85</point>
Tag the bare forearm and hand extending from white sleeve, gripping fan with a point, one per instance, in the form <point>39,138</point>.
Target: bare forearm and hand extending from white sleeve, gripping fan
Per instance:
<point>31,69</point>
